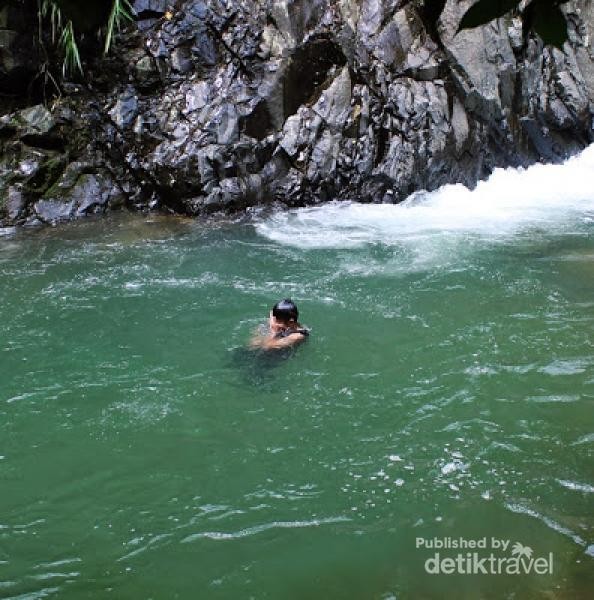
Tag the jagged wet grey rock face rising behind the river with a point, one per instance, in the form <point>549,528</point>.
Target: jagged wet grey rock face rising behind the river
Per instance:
<point>219,105</point>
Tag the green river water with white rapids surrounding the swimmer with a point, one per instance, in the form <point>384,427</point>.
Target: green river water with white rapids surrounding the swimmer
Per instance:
<point>446,393</point>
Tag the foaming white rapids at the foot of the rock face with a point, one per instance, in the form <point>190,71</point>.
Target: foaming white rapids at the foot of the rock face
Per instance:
<point>509,202</point>
